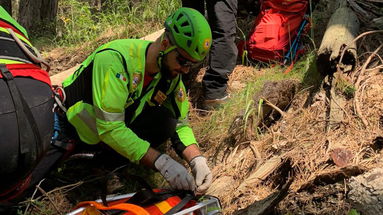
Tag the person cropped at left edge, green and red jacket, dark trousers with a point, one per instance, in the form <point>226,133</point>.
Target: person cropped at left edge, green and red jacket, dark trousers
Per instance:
<point>26,116</point>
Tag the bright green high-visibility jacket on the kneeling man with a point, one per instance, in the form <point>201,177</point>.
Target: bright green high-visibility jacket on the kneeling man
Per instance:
<point>109,82</point>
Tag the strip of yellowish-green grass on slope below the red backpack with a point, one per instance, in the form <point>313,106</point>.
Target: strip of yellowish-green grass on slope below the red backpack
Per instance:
<point>242,103</point>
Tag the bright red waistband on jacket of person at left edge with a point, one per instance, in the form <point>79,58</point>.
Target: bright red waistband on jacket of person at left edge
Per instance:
<point>29,70</point>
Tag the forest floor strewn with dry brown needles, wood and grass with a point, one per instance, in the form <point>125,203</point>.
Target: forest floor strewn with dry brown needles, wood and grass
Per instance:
<point>298,145</point>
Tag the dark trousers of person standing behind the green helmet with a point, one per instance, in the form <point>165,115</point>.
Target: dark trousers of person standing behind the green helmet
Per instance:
<point>223,54</point>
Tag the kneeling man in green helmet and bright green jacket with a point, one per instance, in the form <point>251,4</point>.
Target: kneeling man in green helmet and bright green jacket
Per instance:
<point>129,95</point>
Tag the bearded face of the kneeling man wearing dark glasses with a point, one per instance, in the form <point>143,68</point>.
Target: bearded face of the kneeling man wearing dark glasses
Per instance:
<point>177,62</point>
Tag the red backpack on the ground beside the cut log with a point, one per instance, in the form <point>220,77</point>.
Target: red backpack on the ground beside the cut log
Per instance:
<point>276,31</point>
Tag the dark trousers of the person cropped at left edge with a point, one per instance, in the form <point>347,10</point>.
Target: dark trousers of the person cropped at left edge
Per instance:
<point>15,167</point>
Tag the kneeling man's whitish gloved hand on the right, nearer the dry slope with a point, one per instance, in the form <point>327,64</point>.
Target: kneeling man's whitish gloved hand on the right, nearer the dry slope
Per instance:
<point>202,173</point>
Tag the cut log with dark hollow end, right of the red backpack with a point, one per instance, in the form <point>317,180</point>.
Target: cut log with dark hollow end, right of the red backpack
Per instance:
<point>341,31</point>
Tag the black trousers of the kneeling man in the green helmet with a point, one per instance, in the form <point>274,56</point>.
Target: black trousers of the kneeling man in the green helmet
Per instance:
<point>154,124</point>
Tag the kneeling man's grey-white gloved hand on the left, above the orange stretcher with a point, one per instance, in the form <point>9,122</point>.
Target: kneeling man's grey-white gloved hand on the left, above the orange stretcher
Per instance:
<point>176,174</point>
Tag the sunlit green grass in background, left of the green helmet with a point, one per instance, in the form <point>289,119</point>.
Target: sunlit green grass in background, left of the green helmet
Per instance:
<point>79,22</point>
